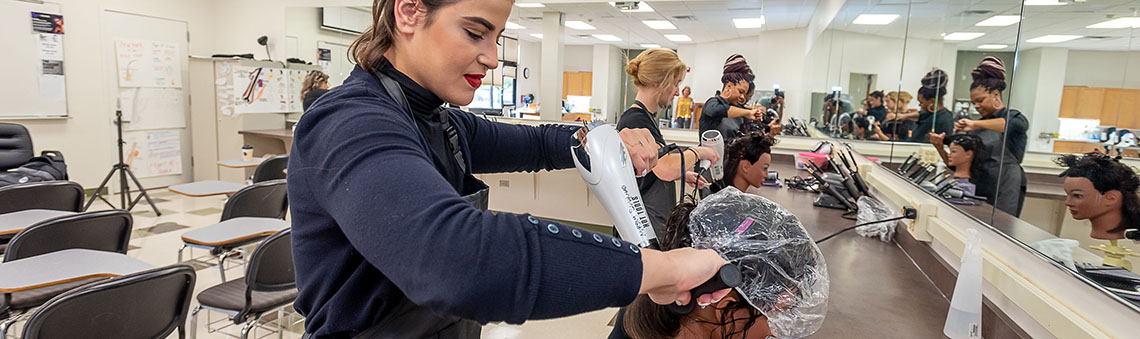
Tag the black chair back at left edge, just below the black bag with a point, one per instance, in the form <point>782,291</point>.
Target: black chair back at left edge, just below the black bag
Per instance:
<point>46,196</point>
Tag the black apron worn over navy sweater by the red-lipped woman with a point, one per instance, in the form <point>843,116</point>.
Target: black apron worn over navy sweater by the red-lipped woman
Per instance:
<point>410,320</point>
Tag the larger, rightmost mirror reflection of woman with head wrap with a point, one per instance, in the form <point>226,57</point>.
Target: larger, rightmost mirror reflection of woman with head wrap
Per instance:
<point>998,123</point>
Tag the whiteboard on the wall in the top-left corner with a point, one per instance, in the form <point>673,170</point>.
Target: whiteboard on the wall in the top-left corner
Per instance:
<point>27,91</point>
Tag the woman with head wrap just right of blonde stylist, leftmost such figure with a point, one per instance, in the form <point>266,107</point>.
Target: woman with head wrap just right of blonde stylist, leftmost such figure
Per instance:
<point>721,111</point>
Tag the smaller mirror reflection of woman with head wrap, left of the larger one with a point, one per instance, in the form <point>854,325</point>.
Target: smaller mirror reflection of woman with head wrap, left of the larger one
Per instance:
<point>933,116</point>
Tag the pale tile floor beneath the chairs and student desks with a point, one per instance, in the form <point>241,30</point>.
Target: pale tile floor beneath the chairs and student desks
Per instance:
<point>157,239</point>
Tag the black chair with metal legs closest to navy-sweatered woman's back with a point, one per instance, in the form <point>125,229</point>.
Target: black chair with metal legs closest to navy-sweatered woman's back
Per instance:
<point>268,285</point>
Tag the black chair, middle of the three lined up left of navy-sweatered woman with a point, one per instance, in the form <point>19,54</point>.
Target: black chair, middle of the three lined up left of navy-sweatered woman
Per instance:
<point>260,200</point>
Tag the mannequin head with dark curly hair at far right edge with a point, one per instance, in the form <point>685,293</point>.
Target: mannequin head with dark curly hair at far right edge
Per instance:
<point>1104,191</point>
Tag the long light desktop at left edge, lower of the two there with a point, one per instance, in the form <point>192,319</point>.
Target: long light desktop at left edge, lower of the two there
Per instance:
<point>66,267</point>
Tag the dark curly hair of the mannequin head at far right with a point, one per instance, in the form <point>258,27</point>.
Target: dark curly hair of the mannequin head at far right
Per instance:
<point>1108,174</point>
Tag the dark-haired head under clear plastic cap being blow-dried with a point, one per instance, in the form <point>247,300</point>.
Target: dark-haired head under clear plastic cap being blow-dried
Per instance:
<point>785,286</point>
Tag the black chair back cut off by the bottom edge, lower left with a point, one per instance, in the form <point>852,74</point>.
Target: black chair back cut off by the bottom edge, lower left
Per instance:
<point>150,304</point>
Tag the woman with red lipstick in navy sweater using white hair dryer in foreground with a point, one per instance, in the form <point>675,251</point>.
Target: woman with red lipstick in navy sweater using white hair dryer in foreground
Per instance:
<point>392,238</point>
